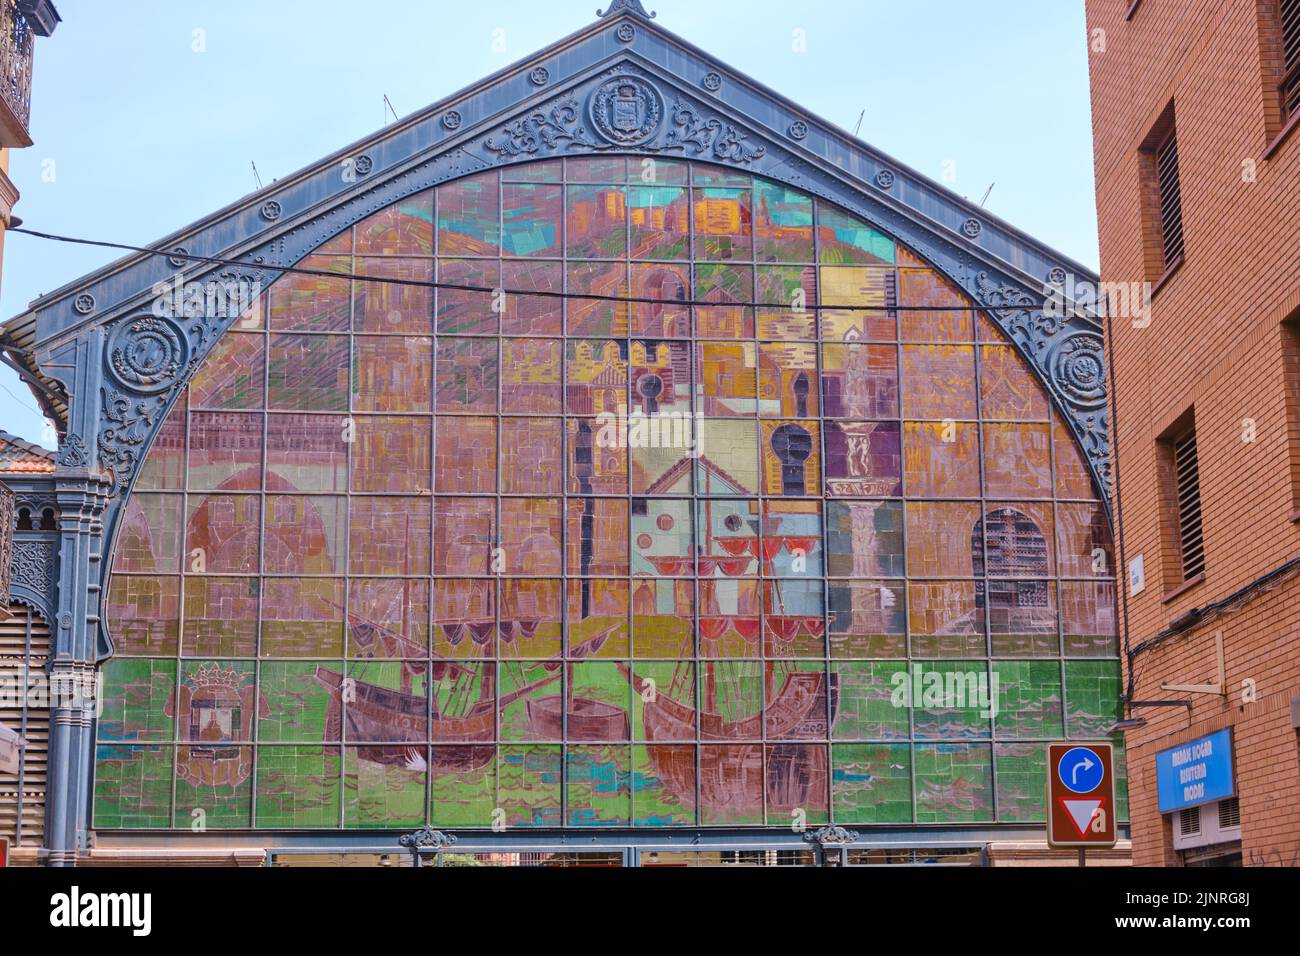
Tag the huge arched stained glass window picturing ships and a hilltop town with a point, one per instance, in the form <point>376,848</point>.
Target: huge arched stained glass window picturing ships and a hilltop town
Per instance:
<point>710,557</point>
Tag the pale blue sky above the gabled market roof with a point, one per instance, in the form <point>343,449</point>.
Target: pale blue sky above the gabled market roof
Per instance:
<point>138,135</point>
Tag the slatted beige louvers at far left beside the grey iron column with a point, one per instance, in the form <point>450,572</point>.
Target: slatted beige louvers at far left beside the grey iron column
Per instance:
<point>24,654</point>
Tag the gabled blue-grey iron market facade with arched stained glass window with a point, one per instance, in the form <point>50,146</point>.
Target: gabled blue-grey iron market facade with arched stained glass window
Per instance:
<point>610,464</point>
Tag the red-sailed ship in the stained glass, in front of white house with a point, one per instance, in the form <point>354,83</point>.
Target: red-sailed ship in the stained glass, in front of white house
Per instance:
<point>738,613</point>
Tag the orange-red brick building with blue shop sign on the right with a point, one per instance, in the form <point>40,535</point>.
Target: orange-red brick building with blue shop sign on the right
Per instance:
<point>1198,162</point>
